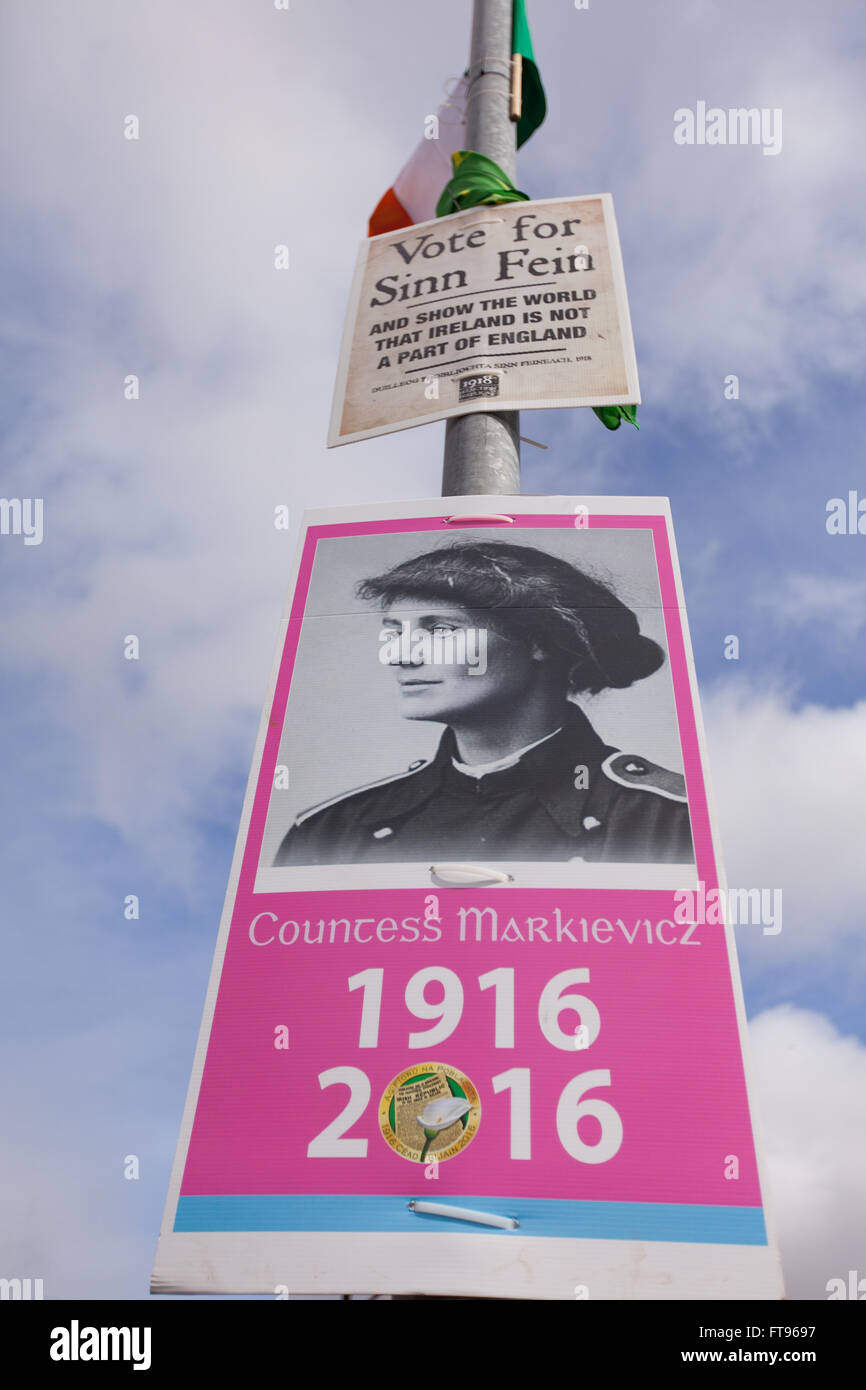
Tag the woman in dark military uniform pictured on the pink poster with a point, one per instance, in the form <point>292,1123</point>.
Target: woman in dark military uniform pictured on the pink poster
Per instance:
<point>496,641</point>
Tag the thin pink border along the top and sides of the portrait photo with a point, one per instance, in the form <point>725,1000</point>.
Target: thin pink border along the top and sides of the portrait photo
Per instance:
<point>557,522</point>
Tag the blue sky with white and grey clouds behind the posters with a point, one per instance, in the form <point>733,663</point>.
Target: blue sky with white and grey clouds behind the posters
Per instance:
<point>155,256</point>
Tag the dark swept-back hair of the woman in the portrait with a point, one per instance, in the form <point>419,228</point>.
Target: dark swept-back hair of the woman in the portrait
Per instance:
<point>537,598</point>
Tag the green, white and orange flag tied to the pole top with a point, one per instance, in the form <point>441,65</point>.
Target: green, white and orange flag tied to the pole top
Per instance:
<point>415,193</point>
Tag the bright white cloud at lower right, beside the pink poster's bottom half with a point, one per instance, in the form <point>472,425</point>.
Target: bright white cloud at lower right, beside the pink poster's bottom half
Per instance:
<point>812,1110</point>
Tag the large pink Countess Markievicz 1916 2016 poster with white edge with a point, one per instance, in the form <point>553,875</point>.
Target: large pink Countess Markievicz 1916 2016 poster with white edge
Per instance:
<point>472,1028</point>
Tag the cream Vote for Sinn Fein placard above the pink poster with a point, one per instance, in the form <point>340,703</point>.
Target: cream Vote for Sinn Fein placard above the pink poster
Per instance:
<point>514,308</point>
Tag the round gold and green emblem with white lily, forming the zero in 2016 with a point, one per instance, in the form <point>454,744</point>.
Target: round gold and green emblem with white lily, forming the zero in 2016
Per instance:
<point>429,1113</point>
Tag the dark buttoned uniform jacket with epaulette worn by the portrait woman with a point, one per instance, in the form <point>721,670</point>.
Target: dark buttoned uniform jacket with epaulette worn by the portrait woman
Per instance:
<point>622,810</point>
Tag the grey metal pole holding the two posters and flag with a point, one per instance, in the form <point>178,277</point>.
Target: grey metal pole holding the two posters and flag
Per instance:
<point>483,451</point>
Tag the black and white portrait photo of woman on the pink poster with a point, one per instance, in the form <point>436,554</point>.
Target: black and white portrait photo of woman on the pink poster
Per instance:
<point>482,698</point>
